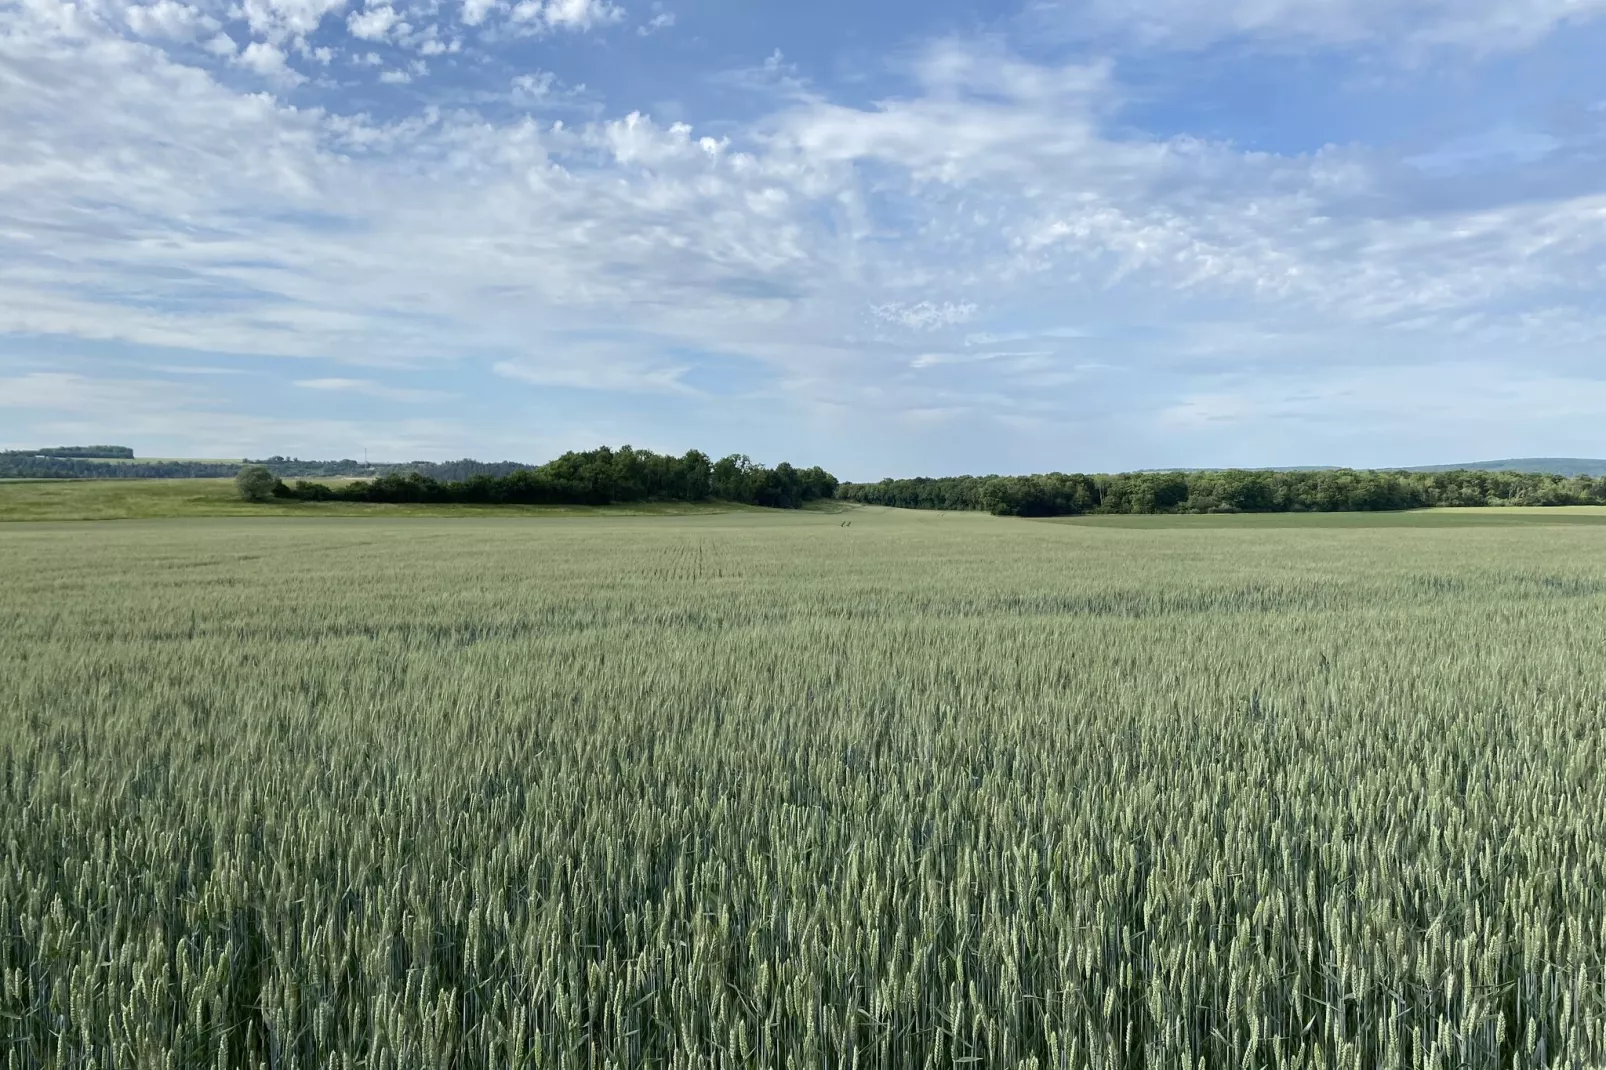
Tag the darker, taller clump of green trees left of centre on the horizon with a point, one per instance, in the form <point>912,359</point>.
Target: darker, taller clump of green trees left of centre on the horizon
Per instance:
<point>595,478</point>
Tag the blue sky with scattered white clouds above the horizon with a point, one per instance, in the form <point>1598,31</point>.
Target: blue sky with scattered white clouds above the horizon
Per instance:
<point>900,239</point>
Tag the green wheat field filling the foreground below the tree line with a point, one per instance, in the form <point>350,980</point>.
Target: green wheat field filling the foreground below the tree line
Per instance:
<point>878,790</point>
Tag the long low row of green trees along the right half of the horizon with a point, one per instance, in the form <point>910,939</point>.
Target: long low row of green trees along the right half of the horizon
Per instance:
<point>1332,491</point>
